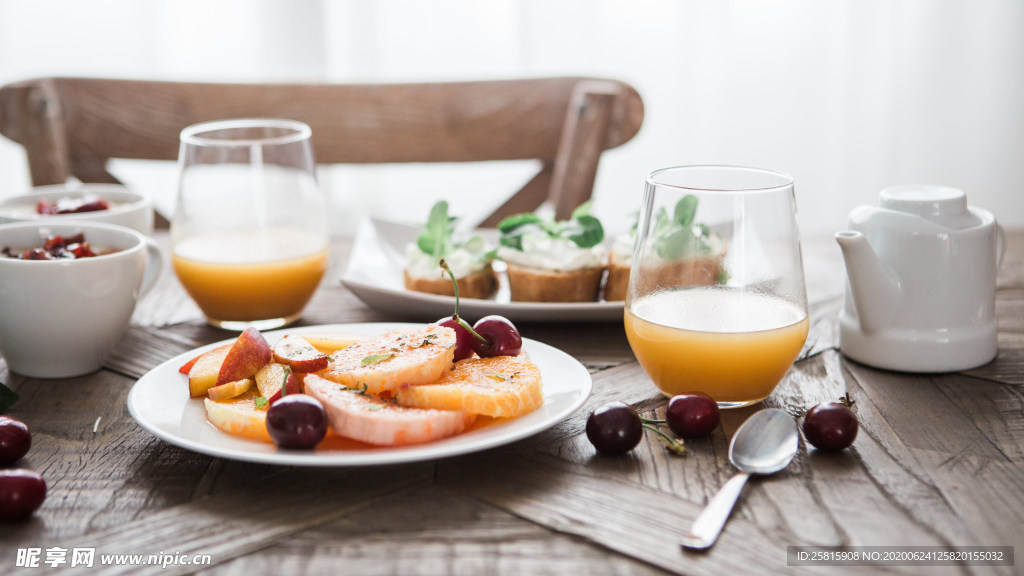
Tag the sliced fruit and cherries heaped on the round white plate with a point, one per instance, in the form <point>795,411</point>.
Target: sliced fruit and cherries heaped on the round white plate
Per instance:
<point>397,389</point>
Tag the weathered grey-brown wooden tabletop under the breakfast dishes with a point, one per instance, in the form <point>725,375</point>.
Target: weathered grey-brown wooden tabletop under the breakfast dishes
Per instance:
<point>940,461</point>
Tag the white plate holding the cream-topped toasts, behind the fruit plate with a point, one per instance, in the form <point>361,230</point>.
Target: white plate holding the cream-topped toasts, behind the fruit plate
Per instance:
<point>375,275</point>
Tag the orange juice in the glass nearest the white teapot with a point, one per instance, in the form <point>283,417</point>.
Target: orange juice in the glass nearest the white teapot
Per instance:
<point>735,347</point>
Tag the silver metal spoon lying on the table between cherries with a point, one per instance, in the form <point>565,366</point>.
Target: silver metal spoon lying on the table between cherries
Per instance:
<point>765,444</point>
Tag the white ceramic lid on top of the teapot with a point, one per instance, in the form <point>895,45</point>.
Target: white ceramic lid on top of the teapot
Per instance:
<point>943,205</point>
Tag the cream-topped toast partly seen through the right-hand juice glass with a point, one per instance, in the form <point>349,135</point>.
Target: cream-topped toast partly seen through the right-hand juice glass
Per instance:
<point>685,254</point>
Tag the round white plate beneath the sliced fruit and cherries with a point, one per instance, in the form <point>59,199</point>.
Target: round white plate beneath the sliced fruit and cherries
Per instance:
<point>160,403</point>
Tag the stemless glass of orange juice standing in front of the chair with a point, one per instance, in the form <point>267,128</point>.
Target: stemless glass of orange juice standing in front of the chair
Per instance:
<point>249,238</point>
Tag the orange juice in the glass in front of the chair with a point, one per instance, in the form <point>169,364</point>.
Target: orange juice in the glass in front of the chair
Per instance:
<point>246,276</point>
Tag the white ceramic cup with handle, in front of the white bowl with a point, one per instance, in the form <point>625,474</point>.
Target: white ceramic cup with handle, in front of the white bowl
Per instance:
<point>62,318</point>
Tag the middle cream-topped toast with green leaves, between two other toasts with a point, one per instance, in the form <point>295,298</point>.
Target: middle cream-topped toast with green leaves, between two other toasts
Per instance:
<point>553,262</point>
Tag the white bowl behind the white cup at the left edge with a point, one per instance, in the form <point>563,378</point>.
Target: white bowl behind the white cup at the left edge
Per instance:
<point>135,213</point>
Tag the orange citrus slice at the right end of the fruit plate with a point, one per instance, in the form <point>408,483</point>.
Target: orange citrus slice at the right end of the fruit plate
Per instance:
<point>503,387</point>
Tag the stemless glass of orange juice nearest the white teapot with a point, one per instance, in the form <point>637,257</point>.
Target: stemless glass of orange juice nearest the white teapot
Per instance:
<point>717,303</point>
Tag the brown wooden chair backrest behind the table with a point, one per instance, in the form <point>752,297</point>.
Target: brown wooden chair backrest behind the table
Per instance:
<point>71,127</point>
